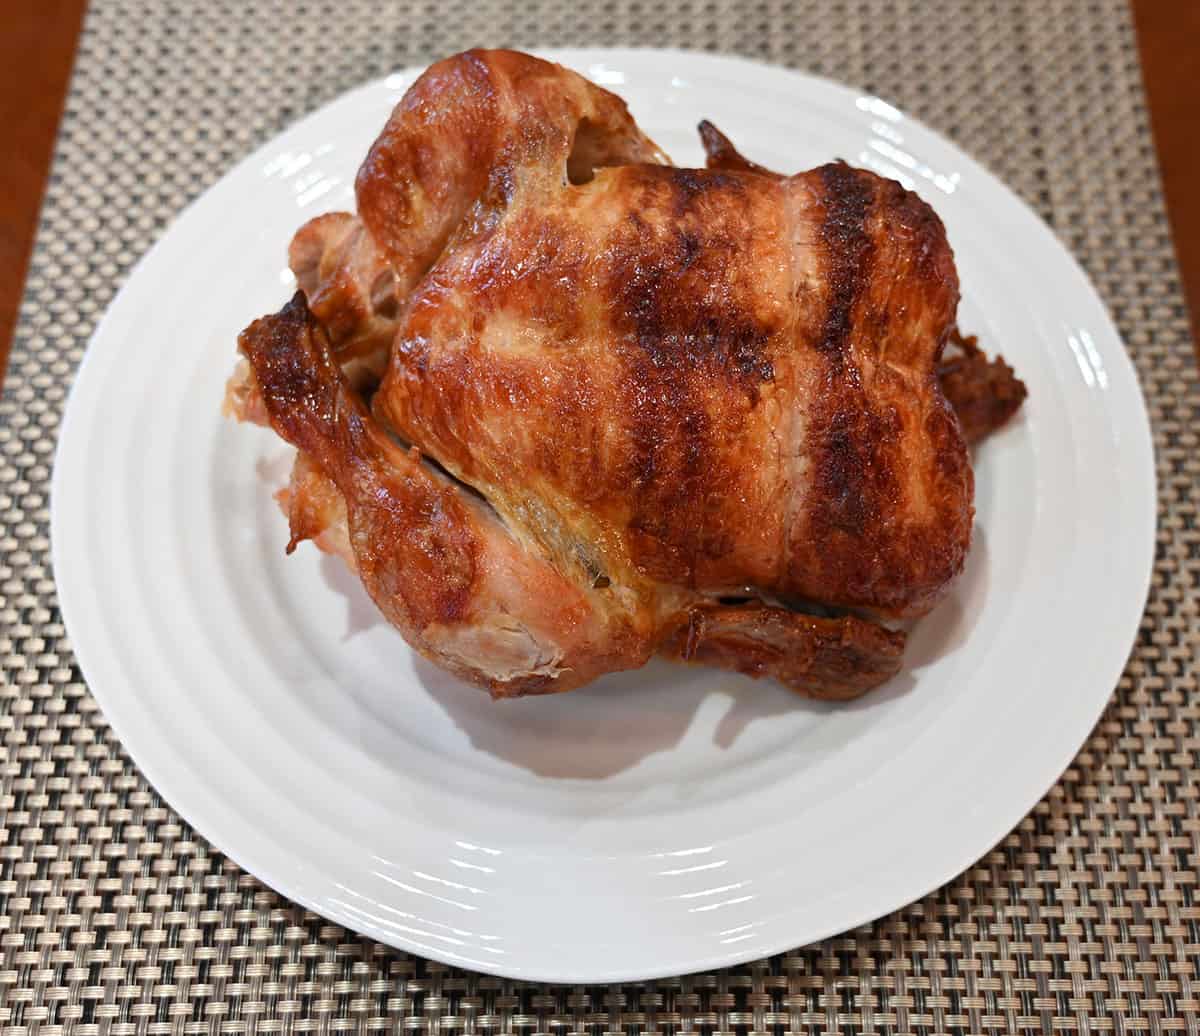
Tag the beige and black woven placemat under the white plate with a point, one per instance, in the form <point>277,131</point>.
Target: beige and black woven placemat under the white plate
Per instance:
<point>116,918</point>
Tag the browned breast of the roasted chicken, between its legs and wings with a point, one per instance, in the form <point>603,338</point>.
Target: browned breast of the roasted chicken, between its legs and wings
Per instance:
<point>709,380</point>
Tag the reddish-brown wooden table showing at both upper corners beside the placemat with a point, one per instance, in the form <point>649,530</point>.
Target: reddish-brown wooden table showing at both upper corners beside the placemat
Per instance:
<point>38,45</point>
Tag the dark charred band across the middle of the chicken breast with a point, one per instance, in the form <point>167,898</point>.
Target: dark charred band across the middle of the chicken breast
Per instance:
<point>695,356</point>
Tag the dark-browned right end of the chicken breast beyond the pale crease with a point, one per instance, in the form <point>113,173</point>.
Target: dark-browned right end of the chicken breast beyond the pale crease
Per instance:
<point>863,531</point>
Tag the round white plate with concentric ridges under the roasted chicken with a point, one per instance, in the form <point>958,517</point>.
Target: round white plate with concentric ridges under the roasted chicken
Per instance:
<point>657,823</point>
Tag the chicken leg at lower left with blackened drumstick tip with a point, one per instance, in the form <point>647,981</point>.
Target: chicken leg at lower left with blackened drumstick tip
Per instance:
<point>440,565</point>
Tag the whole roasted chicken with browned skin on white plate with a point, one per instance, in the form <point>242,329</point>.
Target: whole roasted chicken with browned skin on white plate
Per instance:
<point>563,406</point>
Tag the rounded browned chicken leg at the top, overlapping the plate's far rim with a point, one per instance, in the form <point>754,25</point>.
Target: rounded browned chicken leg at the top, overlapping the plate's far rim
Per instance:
<point>477,130</point>
